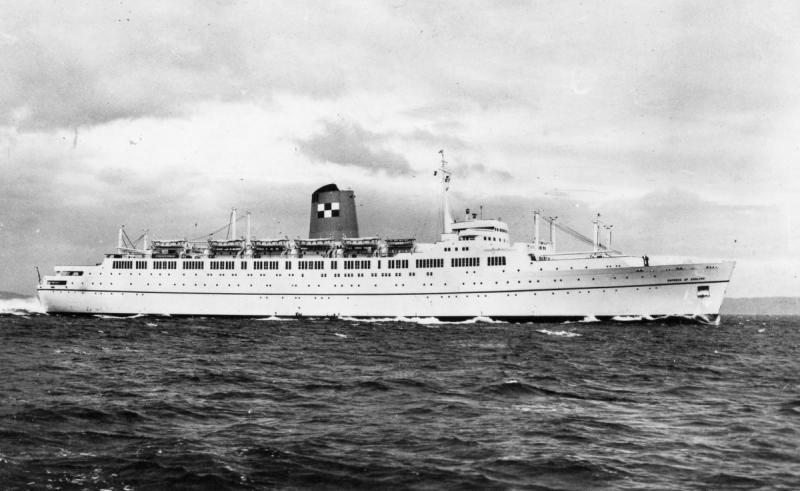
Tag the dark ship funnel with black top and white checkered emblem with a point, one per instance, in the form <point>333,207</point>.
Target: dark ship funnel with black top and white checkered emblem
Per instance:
<point>333,213</point>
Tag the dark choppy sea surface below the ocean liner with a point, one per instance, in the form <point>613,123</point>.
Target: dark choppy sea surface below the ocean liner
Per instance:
<point>209,403</point>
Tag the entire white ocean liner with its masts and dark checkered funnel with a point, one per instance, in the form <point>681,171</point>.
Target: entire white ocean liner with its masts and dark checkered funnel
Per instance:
<point>473,270</point>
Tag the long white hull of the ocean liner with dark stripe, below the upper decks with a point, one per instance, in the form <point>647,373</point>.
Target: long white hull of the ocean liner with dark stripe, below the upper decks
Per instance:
<point>547,289</point>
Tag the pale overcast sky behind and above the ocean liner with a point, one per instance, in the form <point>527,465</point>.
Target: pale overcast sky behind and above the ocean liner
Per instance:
<point>677,121</point>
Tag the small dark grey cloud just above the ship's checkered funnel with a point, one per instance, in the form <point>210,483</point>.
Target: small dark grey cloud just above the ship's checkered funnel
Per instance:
<point>350,145</point>
